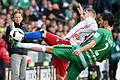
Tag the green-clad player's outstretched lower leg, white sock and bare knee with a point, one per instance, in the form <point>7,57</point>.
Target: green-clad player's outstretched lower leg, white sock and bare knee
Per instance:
<point>36,47</point>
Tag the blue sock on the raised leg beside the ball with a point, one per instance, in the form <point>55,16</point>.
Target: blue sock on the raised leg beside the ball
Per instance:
<point>33,35</point>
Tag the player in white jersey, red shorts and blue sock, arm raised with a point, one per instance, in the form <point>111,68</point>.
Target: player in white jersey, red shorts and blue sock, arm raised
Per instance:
<point>84,28</point>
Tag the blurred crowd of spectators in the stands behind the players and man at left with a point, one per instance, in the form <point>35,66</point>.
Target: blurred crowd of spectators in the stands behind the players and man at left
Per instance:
<point>59,16</point>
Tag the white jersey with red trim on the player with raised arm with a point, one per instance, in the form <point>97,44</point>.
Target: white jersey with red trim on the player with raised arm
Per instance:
<point>86,29</point>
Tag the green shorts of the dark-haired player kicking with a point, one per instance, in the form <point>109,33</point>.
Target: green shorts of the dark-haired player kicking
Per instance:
<point>65,52</point>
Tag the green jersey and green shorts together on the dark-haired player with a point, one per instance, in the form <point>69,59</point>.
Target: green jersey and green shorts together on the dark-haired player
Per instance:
<point>104,44</point>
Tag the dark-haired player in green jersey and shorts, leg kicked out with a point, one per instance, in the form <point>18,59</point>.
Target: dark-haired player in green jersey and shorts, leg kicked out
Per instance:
<point>97,49</point>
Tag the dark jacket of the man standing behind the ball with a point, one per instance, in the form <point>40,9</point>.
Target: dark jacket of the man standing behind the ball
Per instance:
<point>12,50</point>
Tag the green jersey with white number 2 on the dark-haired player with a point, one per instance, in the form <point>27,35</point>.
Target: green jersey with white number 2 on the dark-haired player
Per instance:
<point>104,40</point>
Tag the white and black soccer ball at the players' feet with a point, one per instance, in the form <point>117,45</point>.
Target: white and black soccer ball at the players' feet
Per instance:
<point>16,35</point>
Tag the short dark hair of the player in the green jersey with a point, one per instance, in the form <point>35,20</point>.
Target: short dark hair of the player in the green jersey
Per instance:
<point>109,17</point>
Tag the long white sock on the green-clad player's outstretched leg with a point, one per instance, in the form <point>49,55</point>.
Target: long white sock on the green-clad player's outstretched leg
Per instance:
<point>31,45</point>
